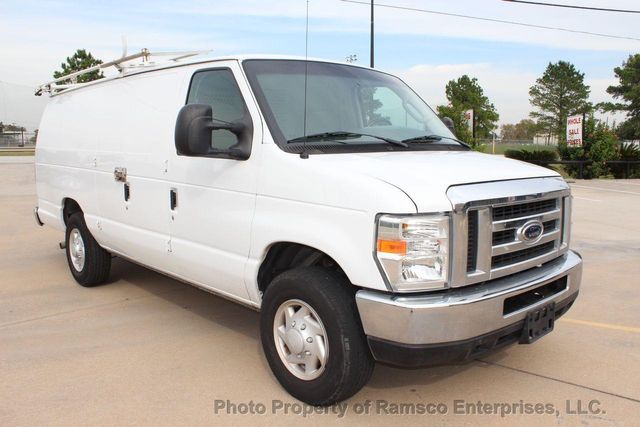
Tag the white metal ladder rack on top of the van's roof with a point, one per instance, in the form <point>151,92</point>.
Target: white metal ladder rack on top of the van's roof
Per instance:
<point>56,86</point>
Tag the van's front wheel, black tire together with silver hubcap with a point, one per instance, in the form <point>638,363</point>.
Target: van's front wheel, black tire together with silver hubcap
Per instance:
<point>312,336</point>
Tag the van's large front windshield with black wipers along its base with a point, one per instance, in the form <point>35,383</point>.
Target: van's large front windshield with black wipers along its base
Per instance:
<point>346,106</point>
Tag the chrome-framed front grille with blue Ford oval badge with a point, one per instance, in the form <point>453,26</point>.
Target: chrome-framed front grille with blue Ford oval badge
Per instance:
<point>501,228</point>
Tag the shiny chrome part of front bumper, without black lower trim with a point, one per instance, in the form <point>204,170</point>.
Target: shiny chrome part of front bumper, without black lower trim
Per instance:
<point>462,313</point>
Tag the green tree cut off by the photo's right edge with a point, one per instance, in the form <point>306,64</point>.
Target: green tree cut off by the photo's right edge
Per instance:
<point>628,92</point>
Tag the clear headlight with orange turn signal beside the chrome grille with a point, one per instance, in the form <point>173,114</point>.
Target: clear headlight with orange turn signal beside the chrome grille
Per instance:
<point>413,251</point>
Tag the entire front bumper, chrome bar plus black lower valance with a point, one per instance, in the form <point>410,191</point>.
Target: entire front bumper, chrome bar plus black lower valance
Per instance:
<point>463,323</point>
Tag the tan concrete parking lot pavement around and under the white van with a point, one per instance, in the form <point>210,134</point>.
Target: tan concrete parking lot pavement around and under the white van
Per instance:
<point>146,349</point>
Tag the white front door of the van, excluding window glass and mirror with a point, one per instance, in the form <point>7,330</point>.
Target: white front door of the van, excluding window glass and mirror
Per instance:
<point>213,198</point>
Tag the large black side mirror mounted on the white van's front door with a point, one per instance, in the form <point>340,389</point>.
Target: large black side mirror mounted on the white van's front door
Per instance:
<point>193,136</point>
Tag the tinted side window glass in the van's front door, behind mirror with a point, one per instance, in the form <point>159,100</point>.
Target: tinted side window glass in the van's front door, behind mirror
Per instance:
<point>218,88</point>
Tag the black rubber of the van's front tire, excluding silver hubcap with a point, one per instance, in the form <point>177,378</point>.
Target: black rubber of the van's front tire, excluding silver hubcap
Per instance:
<point>349,363</point>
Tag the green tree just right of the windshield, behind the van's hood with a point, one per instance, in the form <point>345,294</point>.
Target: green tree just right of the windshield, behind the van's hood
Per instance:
<point>463,94</point>
